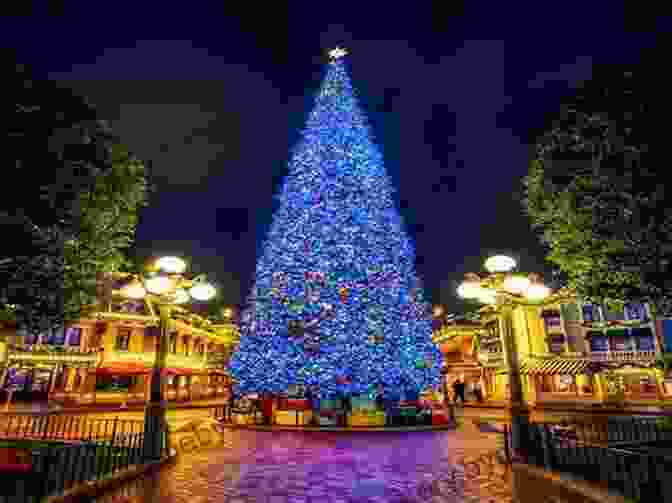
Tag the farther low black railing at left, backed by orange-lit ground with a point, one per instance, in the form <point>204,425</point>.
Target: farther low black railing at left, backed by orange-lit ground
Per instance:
<point>64,427</point>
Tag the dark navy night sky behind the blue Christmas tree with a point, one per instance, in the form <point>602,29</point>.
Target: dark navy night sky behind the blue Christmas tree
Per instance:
<point>215,99</point>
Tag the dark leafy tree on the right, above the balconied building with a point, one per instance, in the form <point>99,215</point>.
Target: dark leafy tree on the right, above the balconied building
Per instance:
<point>594,190</point>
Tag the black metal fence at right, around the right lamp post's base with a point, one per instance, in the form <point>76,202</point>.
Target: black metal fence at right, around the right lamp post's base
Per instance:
<point>632,457</point>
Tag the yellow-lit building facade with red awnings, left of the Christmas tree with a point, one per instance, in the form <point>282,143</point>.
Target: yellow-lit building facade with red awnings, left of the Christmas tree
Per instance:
<point>107,357</point>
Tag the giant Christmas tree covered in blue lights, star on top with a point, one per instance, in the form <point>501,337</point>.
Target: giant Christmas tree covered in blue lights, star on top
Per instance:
<point>336,302</point>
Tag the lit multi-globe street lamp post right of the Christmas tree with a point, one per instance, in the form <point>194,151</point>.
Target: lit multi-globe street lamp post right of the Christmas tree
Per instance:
<point>506,290</point>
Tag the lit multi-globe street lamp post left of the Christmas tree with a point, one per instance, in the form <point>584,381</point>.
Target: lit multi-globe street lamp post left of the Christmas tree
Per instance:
<point>165,286</point>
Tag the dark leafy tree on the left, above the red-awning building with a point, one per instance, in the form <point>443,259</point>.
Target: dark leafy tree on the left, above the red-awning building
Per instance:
<point>56,152</point>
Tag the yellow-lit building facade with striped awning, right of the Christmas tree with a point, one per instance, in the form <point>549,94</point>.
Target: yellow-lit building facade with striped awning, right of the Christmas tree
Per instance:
<point>568,351</point>
